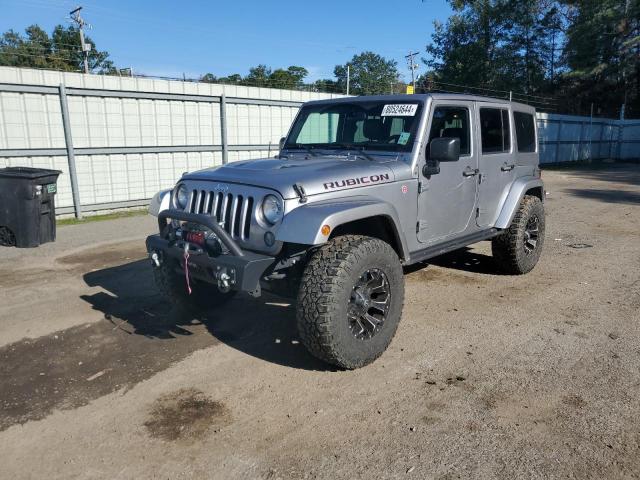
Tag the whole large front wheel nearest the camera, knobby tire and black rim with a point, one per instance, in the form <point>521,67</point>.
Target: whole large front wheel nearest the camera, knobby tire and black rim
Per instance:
<point>350,300</point>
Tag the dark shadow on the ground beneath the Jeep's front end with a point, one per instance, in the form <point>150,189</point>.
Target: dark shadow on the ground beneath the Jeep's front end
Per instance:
<point>264,328</point>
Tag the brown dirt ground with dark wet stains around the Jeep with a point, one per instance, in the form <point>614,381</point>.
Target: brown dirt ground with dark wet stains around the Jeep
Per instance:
<point>489,376</point>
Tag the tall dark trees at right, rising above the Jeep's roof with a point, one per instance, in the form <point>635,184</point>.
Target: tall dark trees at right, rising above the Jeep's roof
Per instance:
<point>580,52</point>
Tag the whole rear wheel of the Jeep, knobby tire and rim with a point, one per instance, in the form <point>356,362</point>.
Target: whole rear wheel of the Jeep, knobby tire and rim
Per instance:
<point>518,249</point>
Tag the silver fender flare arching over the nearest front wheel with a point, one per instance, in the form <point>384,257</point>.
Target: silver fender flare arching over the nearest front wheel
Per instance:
<point>303,224</point>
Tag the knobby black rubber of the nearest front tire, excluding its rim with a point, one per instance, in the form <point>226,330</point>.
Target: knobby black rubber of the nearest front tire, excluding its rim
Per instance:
<point>324,276</point>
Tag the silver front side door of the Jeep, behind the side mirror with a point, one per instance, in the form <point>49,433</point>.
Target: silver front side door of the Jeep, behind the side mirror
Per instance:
<point>446,203</point>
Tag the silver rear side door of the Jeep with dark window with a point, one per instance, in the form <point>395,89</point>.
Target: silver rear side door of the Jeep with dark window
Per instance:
<point>497,160</point>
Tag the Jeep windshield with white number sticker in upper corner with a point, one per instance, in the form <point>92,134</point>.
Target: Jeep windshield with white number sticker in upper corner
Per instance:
<point>389,126</point>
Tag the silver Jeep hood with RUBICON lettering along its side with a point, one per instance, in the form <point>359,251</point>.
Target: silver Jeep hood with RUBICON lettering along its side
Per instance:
<point>316,174</point>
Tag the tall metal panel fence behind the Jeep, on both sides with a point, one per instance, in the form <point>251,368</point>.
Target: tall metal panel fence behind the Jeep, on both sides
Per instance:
<point>119,140</point>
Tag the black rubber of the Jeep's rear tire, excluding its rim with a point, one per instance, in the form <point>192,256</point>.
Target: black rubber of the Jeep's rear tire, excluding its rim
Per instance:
<point>505,248</point>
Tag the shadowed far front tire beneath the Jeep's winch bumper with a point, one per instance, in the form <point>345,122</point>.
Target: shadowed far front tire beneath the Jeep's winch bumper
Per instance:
<point>173,286</point>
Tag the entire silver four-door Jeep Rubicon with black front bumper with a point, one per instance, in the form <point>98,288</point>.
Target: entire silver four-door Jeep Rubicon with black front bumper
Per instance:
<point>361,187</point>
